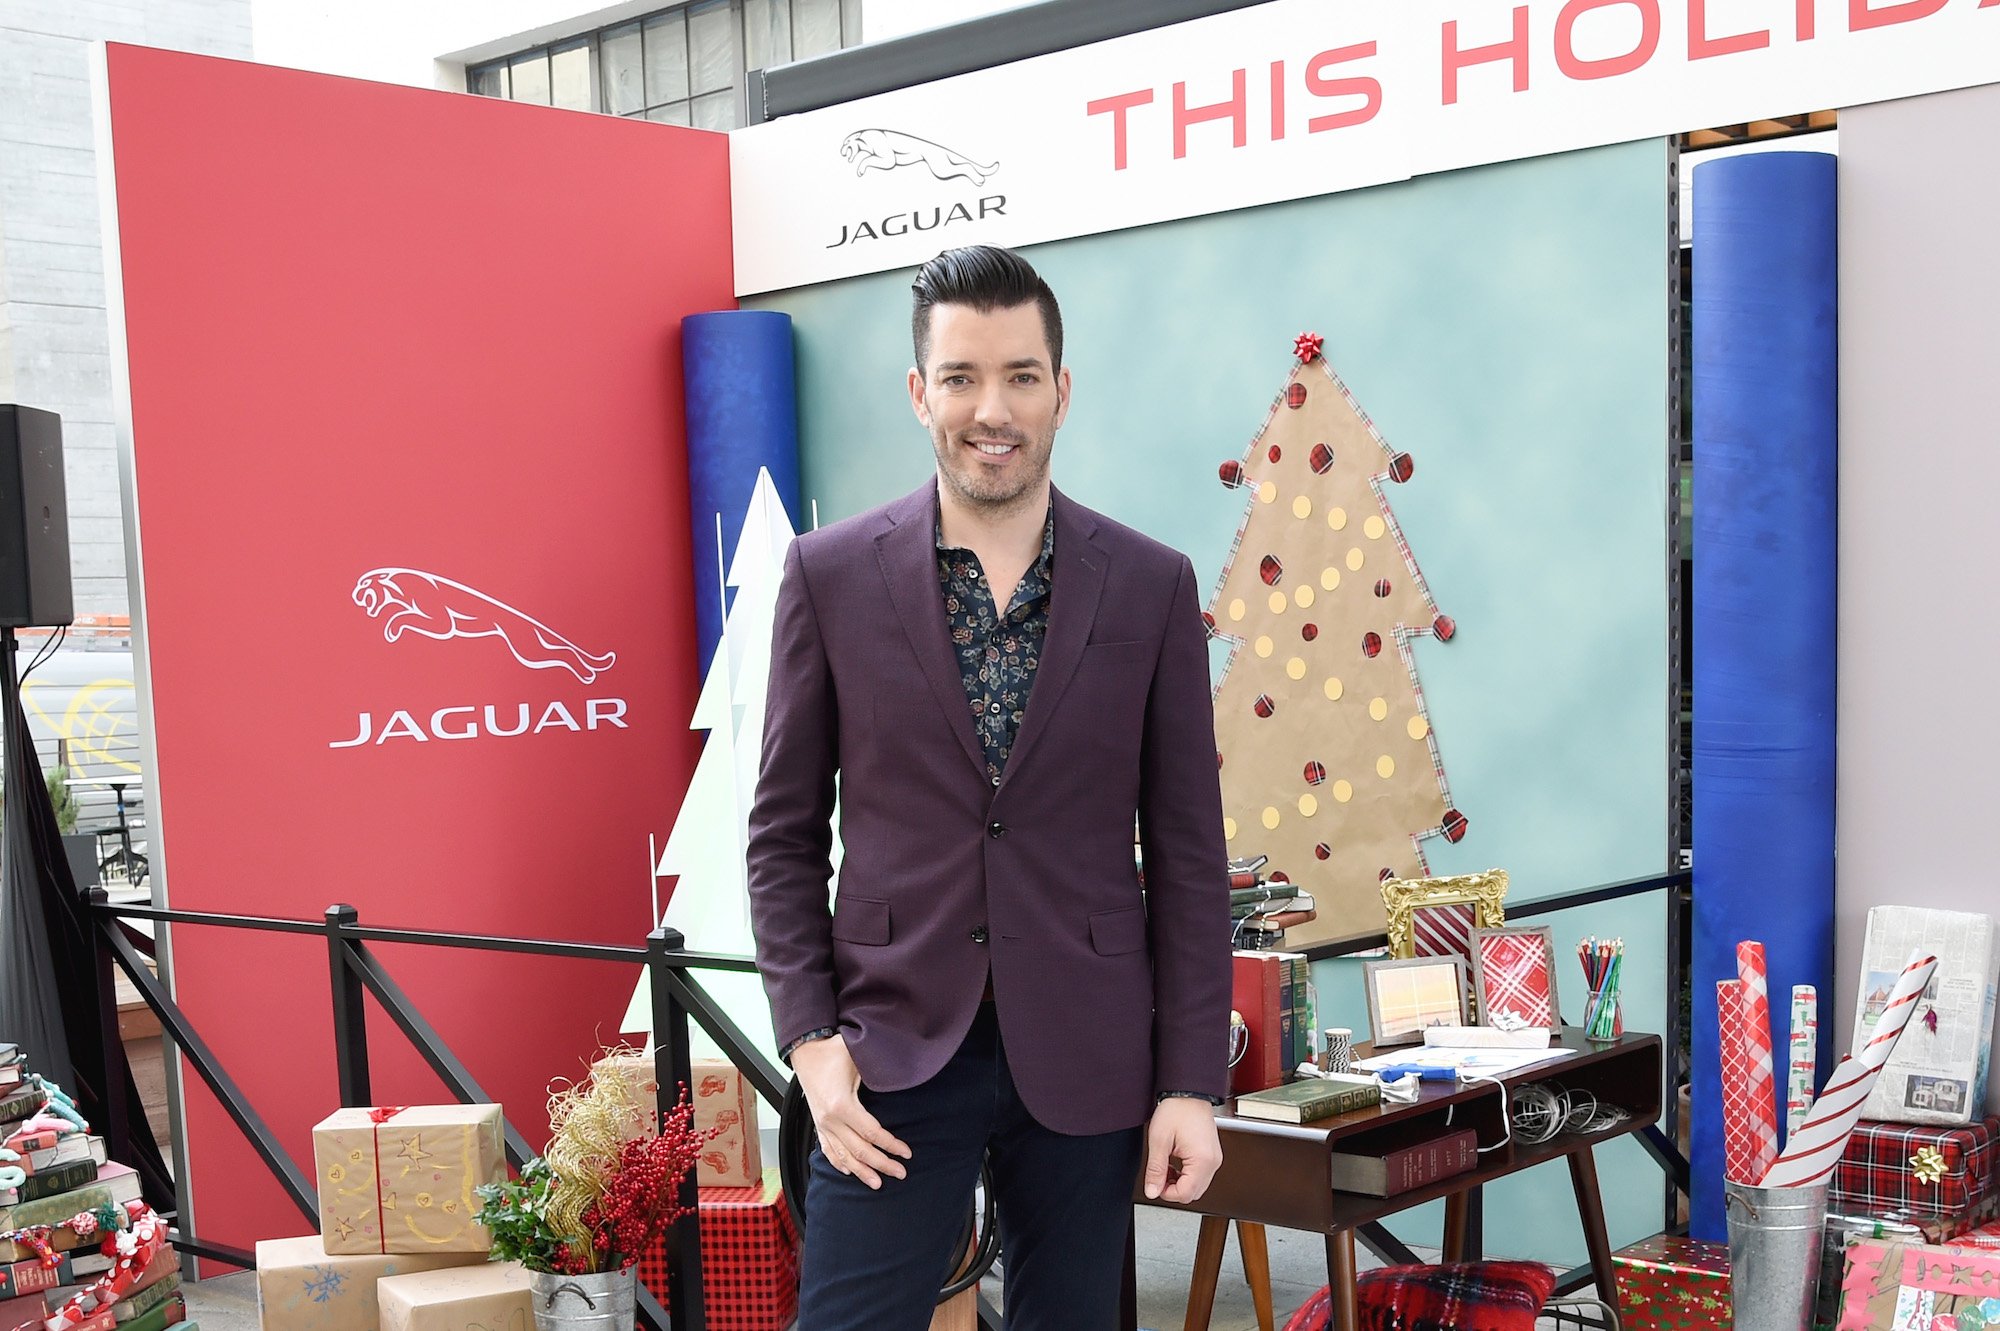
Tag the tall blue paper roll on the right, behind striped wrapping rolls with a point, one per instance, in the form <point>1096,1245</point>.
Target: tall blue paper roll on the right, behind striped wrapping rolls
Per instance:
<point>1765,505</point>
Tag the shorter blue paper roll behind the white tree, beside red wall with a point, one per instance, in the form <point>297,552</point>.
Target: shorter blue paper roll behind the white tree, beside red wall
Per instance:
<point>743,415</point>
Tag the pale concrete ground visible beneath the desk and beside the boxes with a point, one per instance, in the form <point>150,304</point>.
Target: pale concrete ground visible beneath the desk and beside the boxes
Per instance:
<point>1165,1260</point>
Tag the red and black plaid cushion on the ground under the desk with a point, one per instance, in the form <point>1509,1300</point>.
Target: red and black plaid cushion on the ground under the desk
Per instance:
<point>1473,1296</point>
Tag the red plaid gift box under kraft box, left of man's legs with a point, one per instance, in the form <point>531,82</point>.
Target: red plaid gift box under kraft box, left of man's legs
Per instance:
<point>749,1258</point>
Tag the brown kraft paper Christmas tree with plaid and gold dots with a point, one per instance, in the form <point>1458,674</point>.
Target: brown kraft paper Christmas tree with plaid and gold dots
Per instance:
<point>1329,760</point>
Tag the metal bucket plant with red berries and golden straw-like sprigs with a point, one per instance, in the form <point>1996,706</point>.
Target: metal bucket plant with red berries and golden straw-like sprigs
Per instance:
<point>603,1194</point>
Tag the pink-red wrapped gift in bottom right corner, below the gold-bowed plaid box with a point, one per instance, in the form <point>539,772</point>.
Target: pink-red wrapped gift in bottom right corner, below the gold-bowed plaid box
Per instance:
<point>1893,1286</point>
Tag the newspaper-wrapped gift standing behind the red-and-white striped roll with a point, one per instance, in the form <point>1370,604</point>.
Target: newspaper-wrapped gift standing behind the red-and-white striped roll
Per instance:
<point>1939,1068</point>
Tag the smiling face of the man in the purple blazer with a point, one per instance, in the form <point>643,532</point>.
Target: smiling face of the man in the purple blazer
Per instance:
<point>991,401</point>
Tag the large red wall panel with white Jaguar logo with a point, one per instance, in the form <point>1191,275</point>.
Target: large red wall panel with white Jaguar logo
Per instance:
<point>413,549</point>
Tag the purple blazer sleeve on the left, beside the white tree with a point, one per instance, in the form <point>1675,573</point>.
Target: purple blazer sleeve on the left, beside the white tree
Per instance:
<point>791,820</point>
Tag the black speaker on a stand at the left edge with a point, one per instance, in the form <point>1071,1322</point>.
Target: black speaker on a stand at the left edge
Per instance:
<point>35,521</point>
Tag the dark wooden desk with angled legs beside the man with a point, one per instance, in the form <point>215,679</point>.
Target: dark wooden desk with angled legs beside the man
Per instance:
<point>1277,1174</point>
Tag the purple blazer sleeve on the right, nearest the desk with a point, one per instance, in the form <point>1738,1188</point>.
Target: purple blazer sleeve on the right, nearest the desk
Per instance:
<point>1187,864</point>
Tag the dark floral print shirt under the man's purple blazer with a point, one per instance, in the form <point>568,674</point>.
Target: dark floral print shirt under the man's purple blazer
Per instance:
<point>997,653</point>
